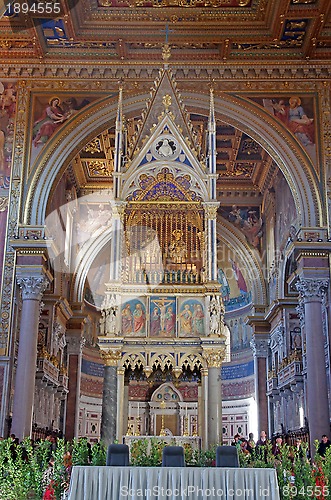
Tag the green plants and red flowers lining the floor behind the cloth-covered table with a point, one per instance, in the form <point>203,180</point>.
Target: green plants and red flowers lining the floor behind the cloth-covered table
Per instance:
<point>36,472</point>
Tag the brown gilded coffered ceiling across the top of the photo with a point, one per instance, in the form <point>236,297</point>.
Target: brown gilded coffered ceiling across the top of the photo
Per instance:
<point>133,31</point>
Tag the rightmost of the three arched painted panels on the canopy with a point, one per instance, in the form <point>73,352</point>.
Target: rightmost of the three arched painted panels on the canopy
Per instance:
<point>191,318</point>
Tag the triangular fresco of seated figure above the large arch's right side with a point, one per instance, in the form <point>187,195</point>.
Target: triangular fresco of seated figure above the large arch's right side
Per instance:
<point>297,113</point>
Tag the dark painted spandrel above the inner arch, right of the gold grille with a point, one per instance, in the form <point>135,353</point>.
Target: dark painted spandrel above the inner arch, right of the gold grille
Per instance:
<point>248,220</point>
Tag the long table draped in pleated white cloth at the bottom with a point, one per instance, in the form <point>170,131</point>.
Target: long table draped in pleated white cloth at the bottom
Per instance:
<point>177,483</point>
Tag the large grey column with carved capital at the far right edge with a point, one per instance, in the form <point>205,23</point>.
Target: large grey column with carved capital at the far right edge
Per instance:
<point>311,292</point>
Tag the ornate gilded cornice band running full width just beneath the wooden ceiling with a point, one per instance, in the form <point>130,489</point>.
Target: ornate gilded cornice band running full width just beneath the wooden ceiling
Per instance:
<point>111,72</point>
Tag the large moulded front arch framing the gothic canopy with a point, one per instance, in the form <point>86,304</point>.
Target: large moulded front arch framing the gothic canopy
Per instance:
<point>265,129</point>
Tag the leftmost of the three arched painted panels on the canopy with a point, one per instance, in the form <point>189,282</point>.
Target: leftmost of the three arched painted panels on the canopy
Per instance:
<point>133,317</point>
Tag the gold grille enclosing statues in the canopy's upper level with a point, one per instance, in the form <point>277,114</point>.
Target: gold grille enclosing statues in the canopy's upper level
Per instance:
<point>164,242</point>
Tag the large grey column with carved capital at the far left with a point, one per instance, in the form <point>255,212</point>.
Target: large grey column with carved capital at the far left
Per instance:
<point>32,289</point>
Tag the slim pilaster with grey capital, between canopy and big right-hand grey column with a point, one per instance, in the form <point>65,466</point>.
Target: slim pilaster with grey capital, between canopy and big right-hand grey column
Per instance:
<point>259,345</point>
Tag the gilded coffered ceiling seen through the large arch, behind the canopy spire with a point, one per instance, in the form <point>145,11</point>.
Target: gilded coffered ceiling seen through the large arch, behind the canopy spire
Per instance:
<point>242,164</point>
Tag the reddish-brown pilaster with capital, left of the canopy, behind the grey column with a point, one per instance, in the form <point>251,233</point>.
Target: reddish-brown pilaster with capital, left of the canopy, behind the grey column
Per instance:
<point>75,344</point>
